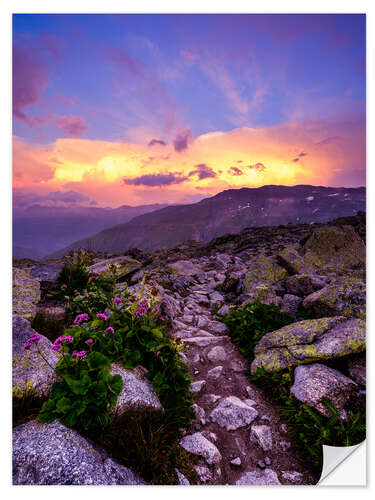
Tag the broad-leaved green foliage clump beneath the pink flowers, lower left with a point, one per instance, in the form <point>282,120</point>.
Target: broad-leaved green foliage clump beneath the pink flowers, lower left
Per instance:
<point>86,393</point>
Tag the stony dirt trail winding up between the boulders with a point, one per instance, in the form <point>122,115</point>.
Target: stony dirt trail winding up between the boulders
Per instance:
<point>239,436</point>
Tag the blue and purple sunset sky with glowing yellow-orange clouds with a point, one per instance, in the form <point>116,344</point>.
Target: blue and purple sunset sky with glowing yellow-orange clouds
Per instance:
<point>113,110</point>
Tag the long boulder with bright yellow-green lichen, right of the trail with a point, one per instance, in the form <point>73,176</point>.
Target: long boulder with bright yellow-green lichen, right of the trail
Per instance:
<point>309,341</point>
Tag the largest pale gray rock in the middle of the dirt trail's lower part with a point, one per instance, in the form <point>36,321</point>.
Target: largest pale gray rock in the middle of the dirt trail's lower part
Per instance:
<point>232,413</point>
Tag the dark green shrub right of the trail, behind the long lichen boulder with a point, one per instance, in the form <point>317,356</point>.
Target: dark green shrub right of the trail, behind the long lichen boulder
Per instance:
<point>249,323</point>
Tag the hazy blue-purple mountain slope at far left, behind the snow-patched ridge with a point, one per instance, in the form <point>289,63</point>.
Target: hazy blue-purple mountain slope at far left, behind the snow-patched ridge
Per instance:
<point>48,229</point>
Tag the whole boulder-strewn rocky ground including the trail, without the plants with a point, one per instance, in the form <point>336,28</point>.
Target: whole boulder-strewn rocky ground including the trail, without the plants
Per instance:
<point>238,436</point>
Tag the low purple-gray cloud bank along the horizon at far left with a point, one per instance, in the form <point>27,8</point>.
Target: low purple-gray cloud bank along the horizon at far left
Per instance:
<point>52,199</point>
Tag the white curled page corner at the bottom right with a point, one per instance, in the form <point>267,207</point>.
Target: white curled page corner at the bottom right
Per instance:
<point>352,462</point>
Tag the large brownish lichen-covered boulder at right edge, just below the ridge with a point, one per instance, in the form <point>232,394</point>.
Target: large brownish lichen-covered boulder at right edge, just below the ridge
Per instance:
<point>334,248</point>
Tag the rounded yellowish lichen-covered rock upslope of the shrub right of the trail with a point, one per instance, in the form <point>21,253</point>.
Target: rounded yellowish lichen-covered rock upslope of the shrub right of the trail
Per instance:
<point>264,271</point>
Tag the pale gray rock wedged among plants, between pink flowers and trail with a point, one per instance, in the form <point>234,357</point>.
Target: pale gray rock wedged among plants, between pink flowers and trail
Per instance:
<point>136,391</point>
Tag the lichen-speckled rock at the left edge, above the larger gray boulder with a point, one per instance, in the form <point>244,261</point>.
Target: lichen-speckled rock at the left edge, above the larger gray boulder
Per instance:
<point>26,294</point>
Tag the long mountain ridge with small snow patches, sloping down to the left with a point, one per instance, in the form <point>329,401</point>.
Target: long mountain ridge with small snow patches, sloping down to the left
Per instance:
<point>227,212</point>
